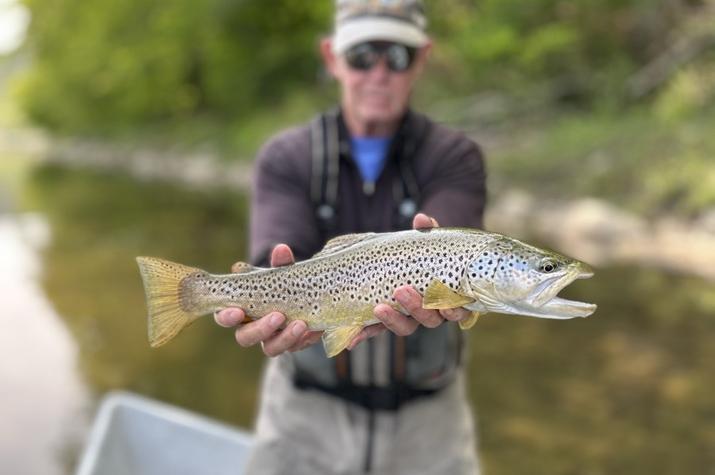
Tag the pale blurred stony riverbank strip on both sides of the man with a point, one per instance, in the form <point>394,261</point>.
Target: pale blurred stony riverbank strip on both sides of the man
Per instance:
<point>588,228</point>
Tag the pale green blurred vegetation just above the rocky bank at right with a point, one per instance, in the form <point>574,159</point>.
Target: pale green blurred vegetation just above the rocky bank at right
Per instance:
<point>637,161</point>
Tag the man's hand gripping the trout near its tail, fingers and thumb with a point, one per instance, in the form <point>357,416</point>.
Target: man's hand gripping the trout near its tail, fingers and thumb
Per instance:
<point>267,330</point>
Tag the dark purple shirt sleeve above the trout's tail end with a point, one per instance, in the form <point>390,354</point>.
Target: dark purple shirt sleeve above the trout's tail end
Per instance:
<point>281,209</point>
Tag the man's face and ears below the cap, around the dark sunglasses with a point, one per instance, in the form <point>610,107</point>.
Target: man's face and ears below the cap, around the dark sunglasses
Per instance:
<point>376,94</point>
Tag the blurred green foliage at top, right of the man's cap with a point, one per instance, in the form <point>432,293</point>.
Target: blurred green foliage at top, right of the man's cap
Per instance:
<point>513,43</point>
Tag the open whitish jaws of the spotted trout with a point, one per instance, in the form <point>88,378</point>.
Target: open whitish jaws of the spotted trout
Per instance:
<point>547,304</point>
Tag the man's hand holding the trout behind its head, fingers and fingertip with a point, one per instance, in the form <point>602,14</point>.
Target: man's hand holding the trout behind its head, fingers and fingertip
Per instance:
<point>411,300</point>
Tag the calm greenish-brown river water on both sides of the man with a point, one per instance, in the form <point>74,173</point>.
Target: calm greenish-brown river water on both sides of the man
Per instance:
<point>626,391</point>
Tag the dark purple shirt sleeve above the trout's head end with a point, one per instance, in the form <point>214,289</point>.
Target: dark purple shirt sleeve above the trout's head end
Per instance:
<point>456,193</point>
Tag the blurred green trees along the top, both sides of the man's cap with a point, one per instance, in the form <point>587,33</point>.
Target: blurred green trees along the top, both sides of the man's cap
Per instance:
<point>120,63</point>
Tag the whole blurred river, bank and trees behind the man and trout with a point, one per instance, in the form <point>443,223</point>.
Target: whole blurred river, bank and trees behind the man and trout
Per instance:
<point>128,127</point>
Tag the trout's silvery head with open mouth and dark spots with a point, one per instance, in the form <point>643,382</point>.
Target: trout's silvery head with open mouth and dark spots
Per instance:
<point>512,277</point>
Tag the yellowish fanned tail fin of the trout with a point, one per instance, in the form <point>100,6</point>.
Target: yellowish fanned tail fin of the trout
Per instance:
<point>164,296</point>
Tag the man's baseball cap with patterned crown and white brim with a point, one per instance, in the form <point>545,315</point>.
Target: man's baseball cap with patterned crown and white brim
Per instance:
<point>358,21</point>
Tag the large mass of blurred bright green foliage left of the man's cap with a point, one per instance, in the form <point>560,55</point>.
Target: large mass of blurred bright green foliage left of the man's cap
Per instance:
<point>118,64</point>
